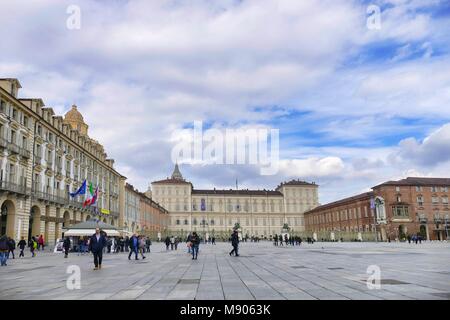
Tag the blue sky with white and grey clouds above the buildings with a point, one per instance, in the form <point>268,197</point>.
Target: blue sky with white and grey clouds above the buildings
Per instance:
<point>354,105</point>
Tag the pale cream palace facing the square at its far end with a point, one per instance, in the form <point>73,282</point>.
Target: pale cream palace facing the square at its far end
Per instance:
<point>216,212</point>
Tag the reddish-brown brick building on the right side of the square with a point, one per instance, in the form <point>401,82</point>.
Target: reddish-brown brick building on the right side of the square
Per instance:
<point>392,210</point>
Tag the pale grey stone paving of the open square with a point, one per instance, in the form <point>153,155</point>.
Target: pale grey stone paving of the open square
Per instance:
<point>318,271</point>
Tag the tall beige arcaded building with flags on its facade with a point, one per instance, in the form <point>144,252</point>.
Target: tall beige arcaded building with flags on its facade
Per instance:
<point>43,157</point>
